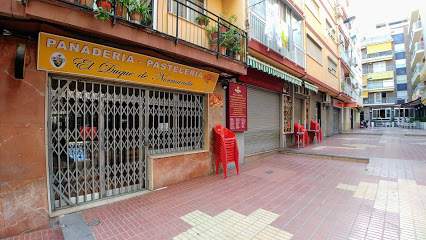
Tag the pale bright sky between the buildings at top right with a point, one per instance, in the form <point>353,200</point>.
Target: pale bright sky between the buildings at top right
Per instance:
<point>370,12</point>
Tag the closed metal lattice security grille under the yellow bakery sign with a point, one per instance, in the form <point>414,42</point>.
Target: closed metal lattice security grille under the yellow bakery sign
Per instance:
<point>99,135</point>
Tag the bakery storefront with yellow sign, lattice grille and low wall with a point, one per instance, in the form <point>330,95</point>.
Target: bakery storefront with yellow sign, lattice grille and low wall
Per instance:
<point>115,119</point>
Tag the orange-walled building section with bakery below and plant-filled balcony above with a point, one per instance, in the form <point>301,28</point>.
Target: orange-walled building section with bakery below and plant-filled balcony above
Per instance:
<point>99,108</point>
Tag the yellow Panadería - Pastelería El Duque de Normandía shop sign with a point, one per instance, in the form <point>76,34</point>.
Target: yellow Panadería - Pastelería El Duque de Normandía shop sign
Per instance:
<point>67,55</point>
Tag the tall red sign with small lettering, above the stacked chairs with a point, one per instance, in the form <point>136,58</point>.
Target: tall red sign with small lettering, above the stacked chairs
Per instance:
<point>237,107</point>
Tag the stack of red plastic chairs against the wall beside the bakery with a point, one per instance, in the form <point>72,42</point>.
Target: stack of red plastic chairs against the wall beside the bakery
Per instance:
<point>226,148</point>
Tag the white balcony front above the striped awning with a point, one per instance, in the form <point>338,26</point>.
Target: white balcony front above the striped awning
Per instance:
<point>257,32</point>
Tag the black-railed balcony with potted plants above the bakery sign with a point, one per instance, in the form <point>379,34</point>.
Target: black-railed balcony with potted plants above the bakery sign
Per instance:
<point>183,21</point>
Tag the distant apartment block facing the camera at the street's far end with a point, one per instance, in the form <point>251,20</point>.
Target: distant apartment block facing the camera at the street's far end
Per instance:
<point>387,73</point>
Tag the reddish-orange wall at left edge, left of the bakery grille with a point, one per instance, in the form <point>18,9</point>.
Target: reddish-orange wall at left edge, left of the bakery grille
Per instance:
<point>23,185</point>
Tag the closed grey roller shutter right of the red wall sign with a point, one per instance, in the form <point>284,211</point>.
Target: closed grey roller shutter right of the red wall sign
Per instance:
<point>263,121</point>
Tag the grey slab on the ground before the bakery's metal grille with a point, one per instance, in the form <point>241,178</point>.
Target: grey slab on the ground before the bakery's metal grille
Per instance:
<point>75,227</point>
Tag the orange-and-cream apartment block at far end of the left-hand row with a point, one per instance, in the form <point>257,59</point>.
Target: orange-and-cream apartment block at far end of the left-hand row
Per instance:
<point>333,64</point>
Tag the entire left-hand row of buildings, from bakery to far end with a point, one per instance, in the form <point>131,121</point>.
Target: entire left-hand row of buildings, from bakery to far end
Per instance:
<point>100,103</point>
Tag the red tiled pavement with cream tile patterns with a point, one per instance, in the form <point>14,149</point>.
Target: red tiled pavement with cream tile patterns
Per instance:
<point>290,197</point>
